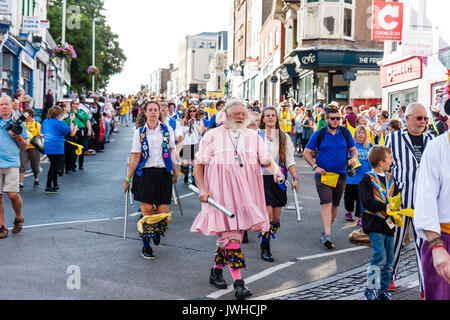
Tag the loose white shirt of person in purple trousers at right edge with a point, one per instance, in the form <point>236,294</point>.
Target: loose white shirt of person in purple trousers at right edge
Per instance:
<point>432,201</point>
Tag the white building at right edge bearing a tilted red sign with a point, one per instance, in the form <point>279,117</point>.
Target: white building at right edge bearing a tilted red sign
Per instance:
<point>419,77</point>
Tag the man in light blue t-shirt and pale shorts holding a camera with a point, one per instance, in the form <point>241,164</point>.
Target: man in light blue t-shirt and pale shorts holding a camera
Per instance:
<point>10,145</point>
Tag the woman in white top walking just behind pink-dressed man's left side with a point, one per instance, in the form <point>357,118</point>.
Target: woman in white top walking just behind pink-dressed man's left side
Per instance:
<point>192,129</point>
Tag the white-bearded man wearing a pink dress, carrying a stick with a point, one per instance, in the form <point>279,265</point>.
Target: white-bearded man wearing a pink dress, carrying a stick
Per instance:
<point>228,168</point>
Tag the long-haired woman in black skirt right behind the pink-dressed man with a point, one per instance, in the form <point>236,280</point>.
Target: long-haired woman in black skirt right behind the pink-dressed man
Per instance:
<point>279,144</point>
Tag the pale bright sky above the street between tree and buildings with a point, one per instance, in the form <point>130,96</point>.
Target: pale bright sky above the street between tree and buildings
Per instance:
<point>150,31</point>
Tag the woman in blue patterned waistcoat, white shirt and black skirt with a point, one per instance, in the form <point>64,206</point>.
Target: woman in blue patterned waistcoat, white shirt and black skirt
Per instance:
<point>152,168</point>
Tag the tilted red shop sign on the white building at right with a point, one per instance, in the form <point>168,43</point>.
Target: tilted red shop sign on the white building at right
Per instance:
<point>402,71</point>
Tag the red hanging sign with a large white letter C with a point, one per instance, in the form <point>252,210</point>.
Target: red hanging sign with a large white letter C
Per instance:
<point>387,20</point>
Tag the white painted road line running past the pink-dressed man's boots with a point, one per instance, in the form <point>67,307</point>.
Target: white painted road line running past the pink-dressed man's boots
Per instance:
<point>271,270</point>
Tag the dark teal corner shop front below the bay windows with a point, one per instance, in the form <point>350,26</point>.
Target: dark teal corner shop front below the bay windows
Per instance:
<point>327,73</point>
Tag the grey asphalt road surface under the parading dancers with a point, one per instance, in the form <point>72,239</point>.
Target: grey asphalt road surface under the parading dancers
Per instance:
<point>81,228</point>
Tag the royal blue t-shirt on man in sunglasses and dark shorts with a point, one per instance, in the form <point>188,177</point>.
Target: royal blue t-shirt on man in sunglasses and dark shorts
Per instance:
<point>332,154</point>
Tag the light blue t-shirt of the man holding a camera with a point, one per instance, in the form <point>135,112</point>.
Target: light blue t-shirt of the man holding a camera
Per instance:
<point>9,149</point>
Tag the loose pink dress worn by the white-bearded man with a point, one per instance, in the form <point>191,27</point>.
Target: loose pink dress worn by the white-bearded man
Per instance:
<point>239,189</point>
